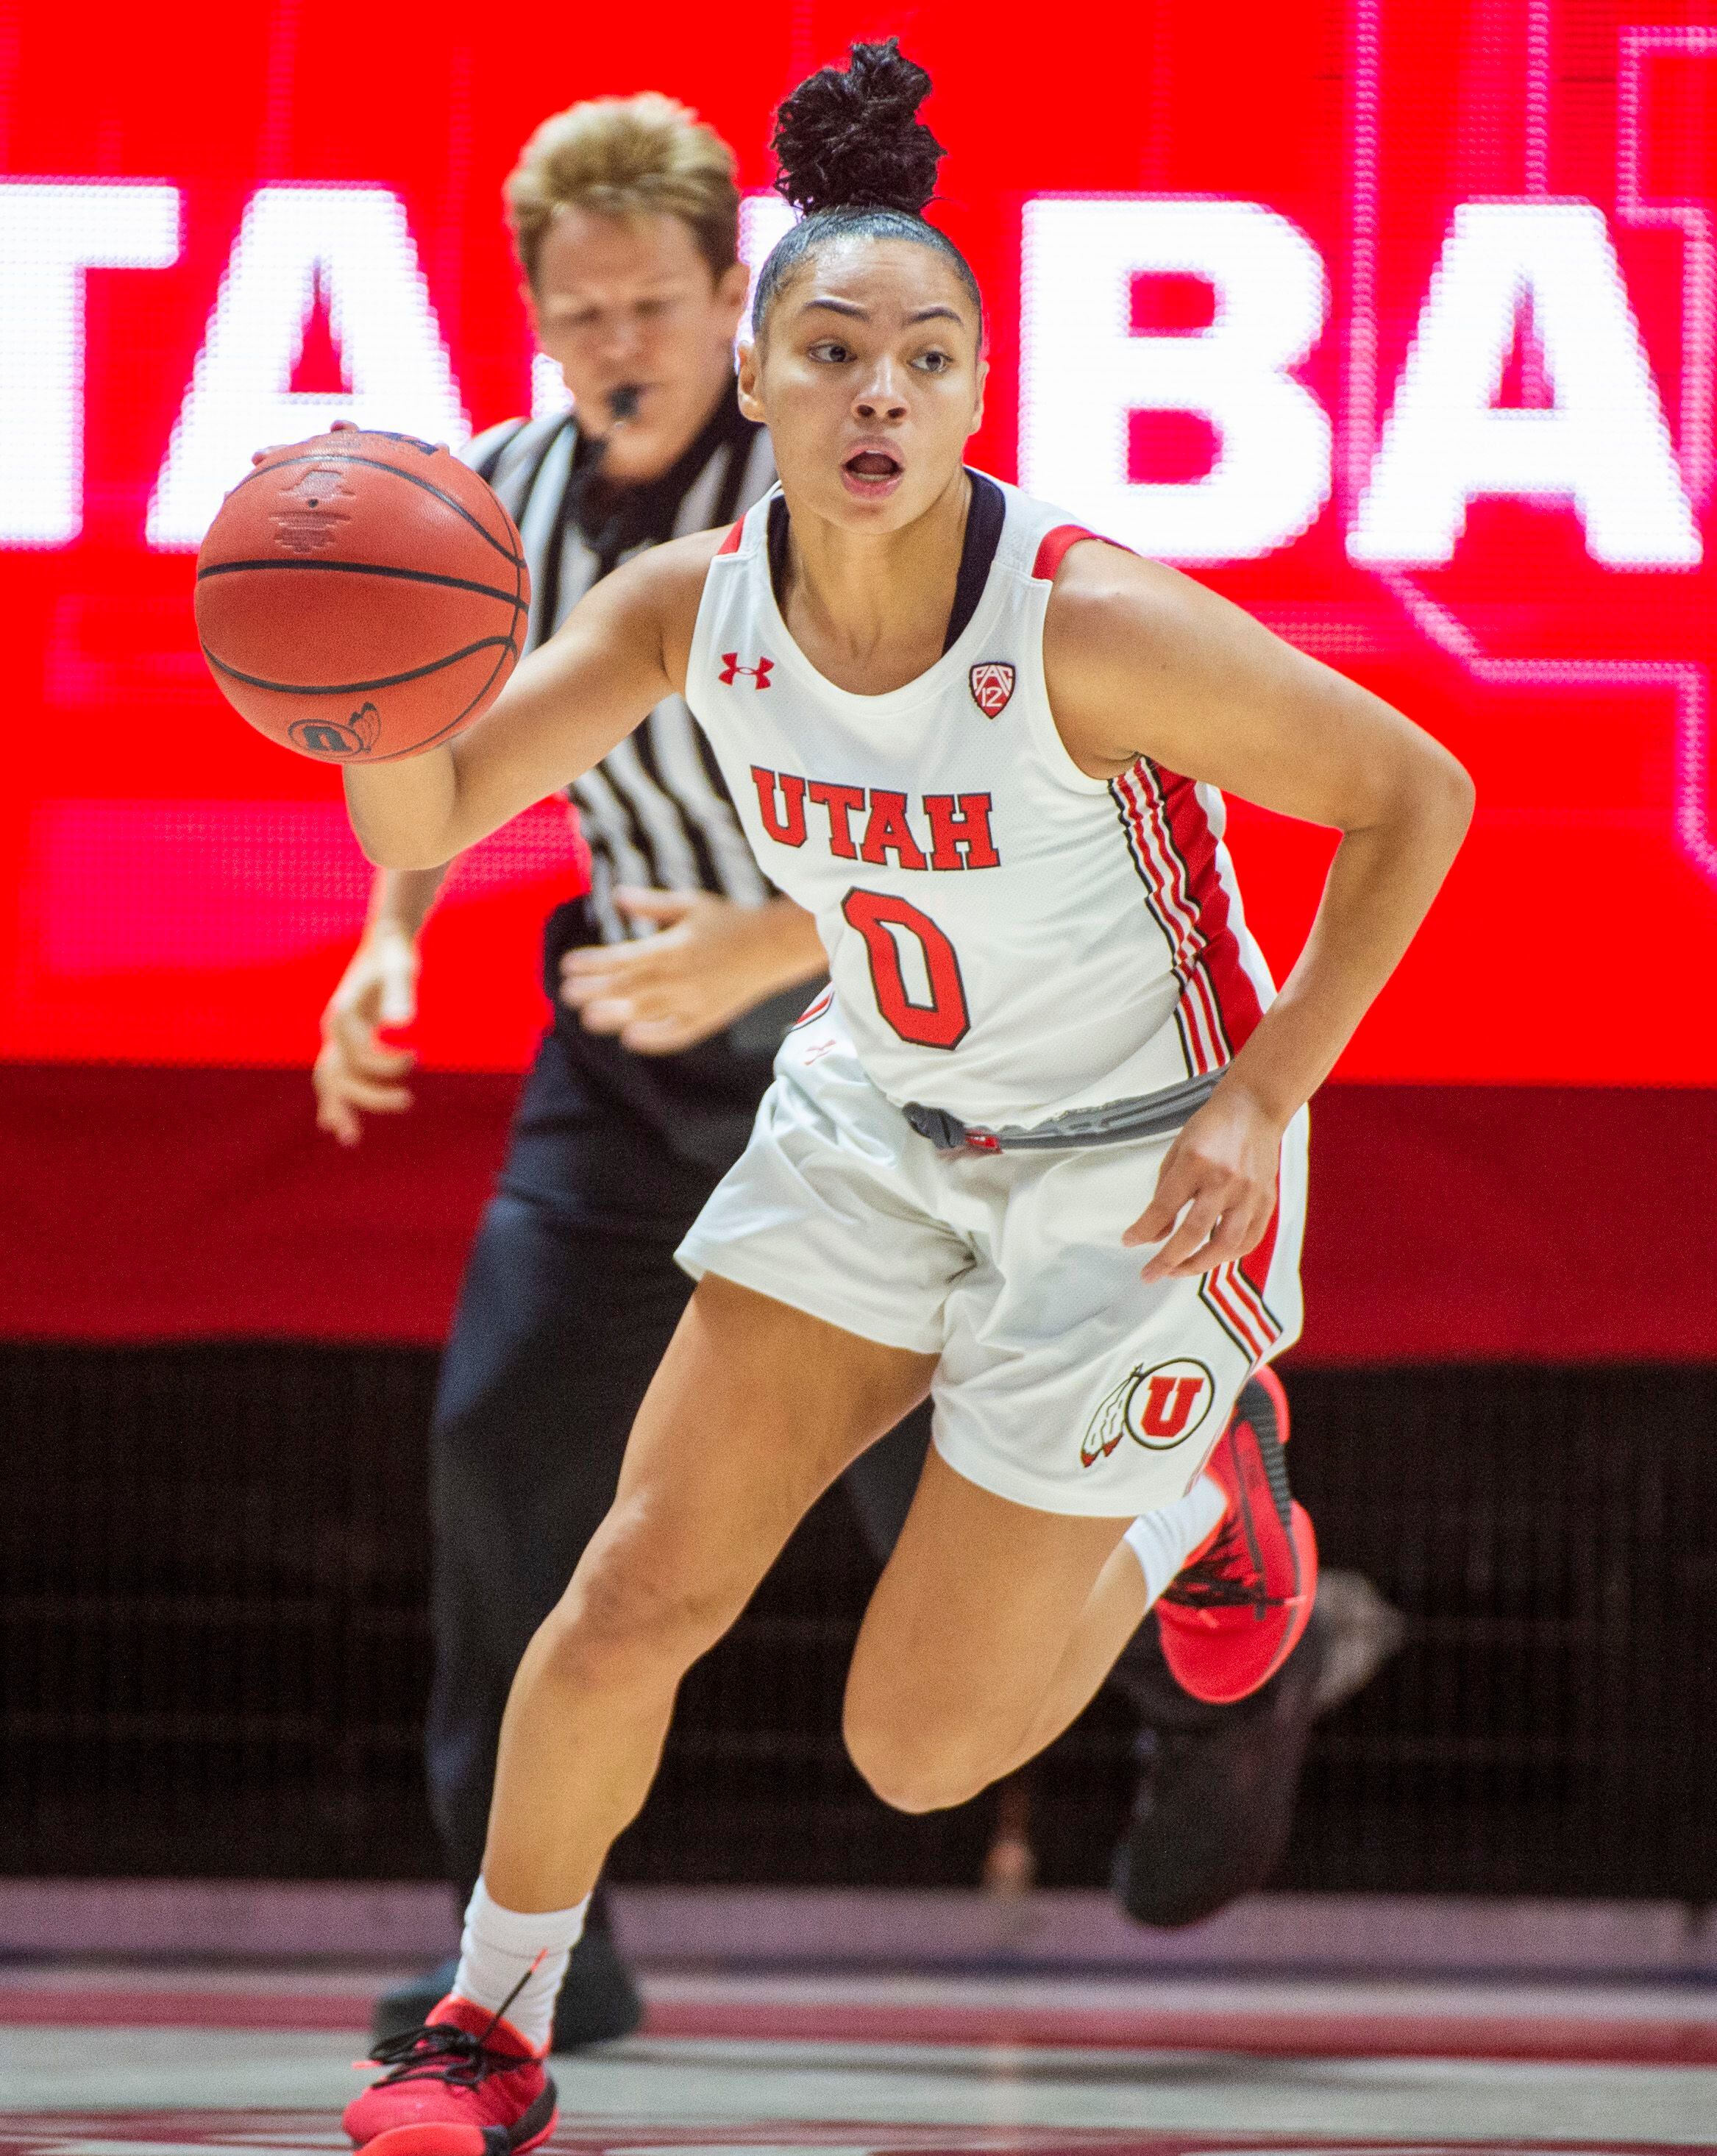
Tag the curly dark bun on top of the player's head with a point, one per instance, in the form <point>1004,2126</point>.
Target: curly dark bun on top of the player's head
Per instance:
<point>850,137</point>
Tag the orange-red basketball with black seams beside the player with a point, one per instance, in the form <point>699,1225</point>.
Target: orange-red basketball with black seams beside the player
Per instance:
<point>361,596</point>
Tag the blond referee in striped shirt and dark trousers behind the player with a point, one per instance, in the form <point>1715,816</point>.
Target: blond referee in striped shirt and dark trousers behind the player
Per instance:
<point>673,984</point>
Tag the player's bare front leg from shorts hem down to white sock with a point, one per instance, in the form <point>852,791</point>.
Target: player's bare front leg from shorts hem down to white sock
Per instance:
<point>753,1415</point>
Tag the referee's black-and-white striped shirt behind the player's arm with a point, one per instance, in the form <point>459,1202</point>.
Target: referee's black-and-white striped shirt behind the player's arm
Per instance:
<point>656,810</point>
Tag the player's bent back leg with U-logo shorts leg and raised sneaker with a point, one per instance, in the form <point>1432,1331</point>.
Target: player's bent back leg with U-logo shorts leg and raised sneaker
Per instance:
<point>1085,1439</point>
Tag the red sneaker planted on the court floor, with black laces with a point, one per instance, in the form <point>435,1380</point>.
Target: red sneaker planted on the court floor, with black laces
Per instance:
<point>462,2086</point>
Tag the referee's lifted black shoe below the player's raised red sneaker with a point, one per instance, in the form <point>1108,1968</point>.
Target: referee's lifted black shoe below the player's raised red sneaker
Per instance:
<point>1216,1788</point>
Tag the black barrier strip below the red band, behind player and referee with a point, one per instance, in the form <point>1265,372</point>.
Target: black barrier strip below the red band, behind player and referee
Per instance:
<point>214,1642</point>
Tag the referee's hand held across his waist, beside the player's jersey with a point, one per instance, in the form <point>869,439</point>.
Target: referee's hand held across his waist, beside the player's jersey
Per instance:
<point>706,967</point>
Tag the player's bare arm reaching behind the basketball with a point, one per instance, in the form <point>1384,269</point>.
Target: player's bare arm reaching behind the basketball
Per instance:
<point>622,650</point>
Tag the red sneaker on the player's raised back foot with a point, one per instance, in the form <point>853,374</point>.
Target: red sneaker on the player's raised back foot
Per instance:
<point>1238,1609</point>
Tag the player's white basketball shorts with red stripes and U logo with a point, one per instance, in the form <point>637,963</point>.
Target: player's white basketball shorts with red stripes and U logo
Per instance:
<point>1065,1381</point>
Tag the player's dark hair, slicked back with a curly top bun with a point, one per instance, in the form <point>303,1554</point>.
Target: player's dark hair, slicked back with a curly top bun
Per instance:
<point>858,163</point>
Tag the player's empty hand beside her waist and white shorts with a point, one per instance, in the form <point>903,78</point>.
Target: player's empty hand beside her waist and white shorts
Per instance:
<point>1216,1191</point>
